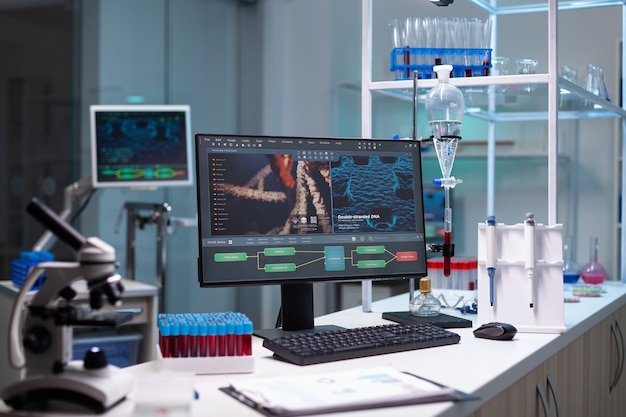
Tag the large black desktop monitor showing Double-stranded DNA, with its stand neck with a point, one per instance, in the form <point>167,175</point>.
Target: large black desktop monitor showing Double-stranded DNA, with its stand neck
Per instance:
<point>298,210</point>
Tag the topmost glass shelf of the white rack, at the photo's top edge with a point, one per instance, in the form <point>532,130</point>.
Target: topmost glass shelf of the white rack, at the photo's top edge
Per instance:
<point>502,7</point>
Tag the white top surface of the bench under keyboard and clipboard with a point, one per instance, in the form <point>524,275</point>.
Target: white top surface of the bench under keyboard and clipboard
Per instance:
<point>477,366</point>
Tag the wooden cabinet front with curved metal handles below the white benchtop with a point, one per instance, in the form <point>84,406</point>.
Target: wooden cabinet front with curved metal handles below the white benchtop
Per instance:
<point>585,378</point>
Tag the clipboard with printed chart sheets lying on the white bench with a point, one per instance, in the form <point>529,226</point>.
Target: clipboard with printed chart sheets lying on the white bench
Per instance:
<point>358,389</point>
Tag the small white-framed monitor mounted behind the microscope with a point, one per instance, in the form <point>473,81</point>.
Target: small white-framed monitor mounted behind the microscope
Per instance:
<point>141,146</point>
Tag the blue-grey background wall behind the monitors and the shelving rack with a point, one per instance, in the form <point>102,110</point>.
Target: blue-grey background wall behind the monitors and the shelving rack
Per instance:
<point>281,67</point>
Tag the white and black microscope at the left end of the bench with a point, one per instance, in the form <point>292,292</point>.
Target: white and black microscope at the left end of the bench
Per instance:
<point>41,342</point>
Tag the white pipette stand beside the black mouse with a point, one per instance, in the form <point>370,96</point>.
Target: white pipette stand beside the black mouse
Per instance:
<point>512,285</point>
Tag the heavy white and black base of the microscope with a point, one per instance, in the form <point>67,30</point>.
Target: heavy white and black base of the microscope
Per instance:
<point>75,390</point>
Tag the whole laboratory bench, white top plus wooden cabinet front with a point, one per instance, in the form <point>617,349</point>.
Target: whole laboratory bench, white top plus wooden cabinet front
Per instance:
<point>575,373</point>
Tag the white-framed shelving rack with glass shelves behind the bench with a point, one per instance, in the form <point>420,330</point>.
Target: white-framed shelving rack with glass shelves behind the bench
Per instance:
<point>548,104</point>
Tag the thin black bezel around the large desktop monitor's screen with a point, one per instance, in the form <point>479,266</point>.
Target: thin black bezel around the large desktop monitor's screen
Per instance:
<point>281,281</point>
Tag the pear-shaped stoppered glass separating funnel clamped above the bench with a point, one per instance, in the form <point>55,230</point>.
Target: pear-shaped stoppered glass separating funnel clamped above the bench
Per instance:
<point>444,109</point>
